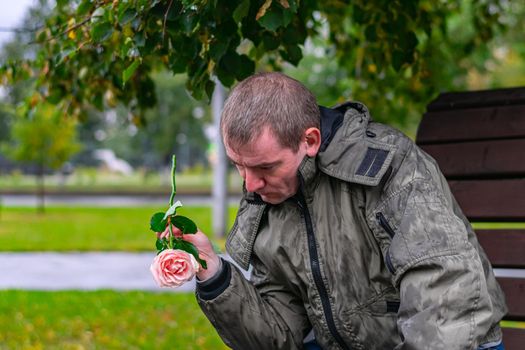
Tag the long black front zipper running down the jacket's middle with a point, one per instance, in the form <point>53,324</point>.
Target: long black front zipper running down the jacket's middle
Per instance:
<point>316,272</point>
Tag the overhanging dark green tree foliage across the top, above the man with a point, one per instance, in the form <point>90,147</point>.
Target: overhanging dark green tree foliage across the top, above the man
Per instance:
<point>90,52</point>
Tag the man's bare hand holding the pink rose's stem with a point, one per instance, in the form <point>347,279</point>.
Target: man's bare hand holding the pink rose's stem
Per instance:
<point>205,248</point>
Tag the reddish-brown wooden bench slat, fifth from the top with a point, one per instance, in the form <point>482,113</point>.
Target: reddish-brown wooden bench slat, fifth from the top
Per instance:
<point>505,248</point>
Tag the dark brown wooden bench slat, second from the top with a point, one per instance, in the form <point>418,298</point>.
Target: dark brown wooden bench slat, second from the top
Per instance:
<point>472,124</point>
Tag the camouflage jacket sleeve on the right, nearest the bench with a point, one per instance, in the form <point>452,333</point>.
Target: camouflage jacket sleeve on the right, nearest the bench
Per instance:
<point>444,300</point>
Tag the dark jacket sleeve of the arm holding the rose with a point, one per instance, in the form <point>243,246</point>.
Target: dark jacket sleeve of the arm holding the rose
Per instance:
<point>255,314</point>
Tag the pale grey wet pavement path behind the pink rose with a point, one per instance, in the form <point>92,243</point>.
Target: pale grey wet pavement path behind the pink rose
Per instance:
<point>80,271</point>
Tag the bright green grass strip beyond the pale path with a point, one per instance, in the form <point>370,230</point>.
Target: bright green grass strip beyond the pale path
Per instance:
<point>89,229</point>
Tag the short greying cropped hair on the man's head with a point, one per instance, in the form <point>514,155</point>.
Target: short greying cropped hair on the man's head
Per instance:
<point>271,100</point>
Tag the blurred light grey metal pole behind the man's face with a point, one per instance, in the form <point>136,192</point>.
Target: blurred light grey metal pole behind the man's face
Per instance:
<point>220,183</point>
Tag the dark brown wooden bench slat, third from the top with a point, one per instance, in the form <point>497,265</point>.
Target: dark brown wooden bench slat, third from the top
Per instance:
<point>500,158</point>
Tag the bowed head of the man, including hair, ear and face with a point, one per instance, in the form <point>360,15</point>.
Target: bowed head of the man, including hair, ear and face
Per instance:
<point>270,122</point>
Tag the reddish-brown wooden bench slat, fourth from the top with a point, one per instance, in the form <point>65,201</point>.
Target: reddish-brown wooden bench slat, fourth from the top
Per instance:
<point>491,200</point>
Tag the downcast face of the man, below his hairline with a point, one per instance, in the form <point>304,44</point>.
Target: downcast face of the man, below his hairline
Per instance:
<point>267,168</point>
